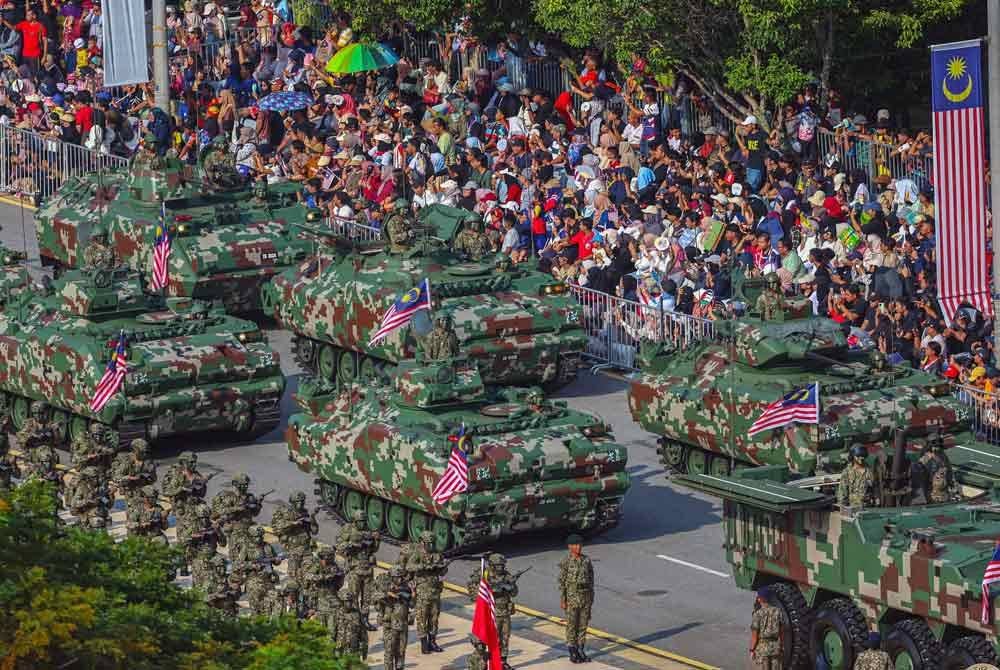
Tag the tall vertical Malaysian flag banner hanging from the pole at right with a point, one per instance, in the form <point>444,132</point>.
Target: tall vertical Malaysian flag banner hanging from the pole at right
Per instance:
<point>959,176</point>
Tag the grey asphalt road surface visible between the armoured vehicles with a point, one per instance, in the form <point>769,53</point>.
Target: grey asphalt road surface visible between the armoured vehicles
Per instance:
<point>662,578</point>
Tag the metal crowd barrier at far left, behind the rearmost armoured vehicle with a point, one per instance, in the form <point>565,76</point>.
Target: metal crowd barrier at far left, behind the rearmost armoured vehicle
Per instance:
<point>36,165</point>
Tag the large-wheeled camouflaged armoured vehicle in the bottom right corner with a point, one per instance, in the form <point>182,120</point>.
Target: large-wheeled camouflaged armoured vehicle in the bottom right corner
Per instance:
<point>911,573</point>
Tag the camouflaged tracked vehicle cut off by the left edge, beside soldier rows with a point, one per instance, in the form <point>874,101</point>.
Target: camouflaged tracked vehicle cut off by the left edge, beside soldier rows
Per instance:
<point>190,368</point>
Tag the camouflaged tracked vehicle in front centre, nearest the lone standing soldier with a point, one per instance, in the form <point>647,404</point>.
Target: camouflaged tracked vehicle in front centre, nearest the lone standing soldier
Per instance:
<point>533,464</point>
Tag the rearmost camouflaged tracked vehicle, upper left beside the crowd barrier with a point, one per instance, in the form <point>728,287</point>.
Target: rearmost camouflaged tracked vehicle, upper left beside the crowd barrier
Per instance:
<point>227,238</point>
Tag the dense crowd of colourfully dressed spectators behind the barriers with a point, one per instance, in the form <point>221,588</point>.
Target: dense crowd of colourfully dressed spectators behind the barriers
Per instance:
<point>601,183</point>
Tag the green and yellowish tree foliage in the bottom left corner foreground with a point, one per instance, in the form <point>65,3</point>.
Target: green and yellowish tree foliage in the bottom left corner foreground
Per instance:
<point>77,599</point>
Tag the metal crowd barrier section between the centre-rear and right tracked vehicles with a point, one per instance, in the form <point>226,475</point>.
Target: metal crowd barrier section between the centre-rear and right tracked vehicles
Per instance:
<point>617,328</point>
